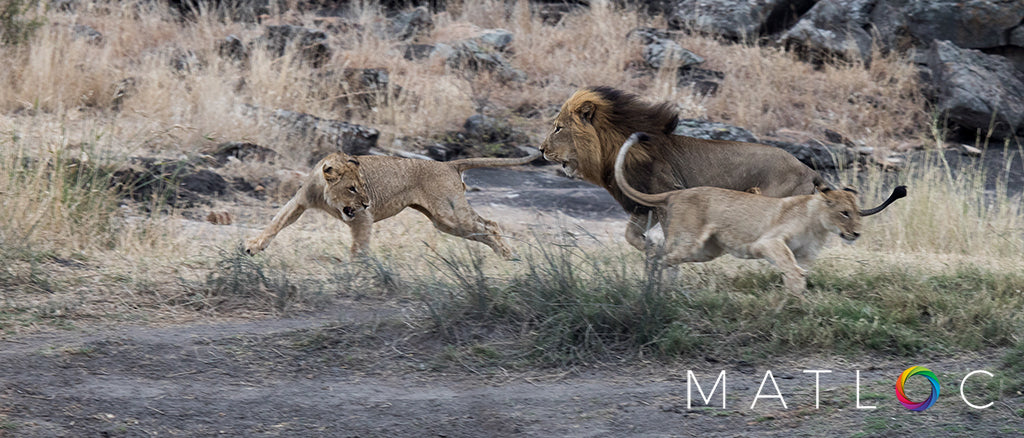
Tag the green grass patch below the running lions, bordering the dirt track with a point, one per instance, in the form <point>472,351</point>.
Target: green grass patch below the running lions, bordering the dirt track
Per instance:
<point>569,304</point>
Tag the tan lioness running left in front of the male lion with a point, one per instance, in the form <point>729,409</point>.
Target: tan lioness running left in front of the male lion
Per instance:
<point>392,185</point>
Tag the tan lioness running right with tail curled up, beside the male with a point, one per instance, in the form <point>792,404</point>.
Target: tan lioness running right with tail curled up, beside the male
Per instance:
<point>703,224</point>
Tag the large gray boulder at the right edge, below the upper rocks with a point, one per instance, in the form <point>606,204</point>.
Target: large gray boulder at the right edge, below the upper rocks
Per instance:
<point>974,90</point>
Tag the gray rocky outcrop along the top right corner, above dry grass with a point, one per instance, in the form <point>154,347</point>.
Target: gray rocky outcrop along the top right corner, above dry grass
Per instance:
<point>973,92</point>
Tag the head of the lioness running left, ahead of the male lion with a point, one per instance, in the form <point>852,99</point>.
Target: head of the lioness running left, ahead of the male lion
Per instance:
<point>345,190</point>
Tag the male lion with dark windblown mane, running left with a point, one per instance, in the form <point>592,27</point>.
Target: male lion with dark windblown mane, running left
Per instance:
<point>594,123</point>
